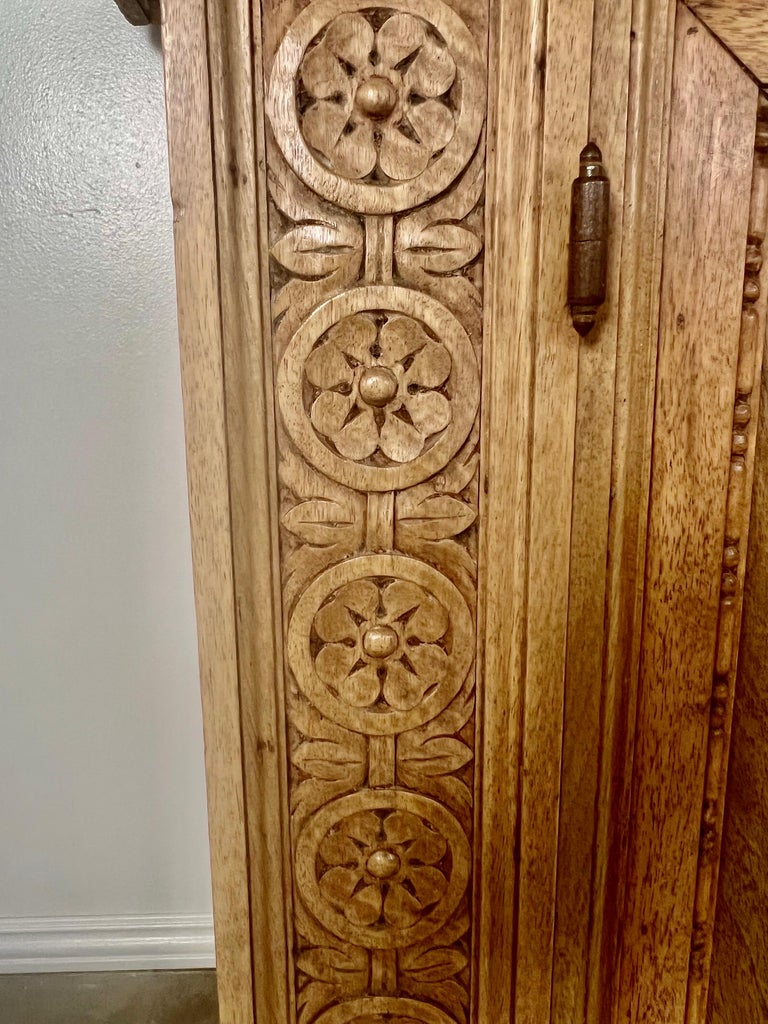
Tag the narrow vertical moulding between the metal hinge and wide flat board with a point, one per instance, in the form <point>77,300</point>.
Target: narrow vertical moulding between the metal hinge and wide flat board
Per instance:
<point>641,259</point>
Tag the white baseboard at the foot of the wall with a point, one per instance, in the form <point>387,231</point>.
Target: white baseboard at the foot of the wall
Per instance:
<point>137,944</point>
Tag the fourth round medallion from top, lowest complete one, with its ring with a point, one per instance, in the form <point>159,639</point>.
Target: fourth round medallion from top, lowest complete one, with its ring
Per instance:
<point>382,869</point>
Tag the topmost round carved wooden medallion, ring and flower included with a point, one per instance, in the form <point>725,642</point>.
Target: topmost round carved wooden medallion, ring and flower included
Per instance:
<point>377,109</point>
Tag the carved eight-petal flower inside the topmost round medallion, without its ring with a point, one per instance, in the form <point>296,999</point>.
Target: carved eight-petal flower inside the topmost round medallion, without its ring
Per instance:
<point>376,97</point>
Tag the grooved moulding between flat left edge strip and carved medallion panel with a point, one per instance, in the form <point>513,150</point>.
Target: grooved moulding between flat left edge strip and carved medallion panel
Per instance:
<point>241,196</point>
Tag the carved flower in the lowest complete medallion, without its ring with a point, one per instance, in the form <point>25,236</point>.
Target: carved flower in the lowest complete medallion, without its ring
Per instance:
<point>381,869</point>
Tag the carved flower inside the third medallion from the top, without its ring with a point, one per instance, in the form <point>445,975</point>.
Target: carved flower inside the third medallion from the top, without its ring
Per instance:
<point>380,641</point>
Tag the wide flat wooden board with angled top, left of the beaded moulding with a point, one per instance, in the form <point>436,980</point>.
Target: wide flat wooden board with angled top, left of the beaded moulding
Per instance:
<point>706,232</point>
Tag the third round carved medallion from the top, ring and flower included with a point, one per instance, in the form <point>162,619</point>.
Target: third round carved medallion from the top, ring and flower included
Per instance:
<point>381,644</point>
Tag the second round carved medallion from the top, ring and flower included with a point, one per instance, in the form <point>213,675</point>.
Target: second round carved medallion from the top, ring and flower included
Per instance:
<point>379,388</point>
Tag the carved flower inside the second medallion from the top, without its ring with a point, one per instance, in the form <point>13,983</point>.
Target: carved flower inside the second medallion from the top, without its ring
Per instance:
<point>377,388</point>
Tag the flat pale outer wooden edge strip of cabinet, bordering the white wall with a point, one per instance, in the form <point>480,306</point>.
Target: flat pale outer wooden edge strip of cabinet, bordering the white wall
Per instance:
<point>185,47</point>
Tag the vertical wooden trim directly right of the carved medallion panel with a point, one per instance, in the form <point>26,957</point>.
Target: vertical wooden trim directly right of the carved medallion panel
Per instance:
<point>516,69</point>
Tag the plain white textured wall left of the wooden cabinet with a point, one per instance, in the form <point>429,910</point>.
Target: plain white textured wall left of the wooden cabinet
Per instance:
<point>102,777</point>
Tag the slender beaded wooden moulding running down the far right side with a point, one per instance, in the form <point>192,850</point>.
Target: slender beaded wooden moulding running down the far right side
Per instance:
<point>732,590</point>
